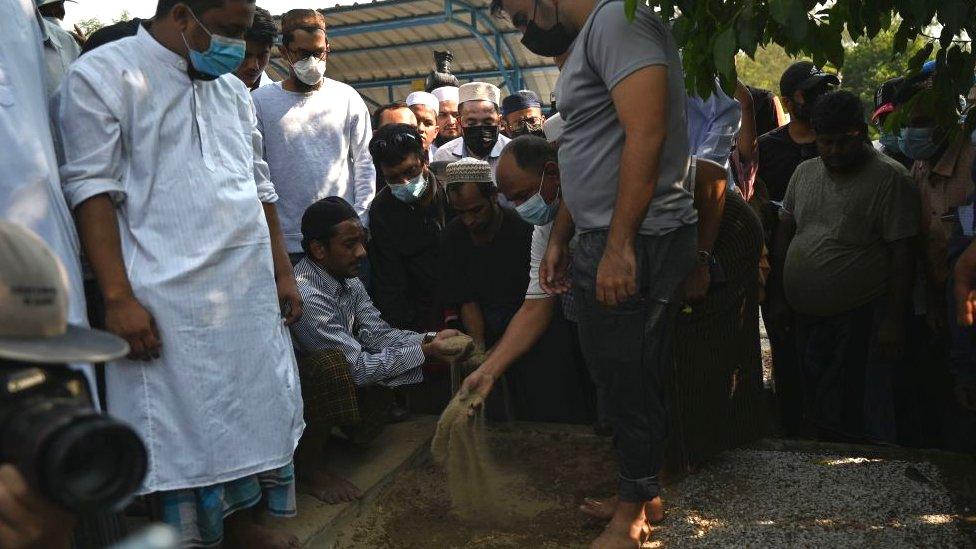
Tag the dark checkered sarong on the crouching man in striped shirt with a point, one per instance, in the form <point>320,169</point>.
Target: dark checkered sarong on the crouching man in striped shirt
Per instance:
<point>328,390</point>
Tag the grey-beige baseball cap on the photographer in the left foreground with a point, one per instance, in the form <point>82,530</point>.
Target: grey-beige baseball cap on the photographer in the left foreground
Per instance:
<point>34,307</point>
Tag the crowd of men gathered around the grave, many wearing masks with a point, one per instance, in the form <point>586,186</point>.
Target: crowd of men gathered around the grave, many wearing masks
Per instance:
<point>289,268</point>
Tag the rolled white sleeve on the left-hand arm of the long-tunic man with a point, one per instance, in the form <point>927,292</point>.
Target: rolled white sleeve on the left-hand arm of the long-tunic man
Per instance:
<point>87,121</point>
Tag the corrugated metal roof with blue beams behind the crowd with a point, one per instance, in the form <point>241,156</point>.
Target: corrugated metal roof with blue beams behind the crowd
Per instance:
<point>385,49</point>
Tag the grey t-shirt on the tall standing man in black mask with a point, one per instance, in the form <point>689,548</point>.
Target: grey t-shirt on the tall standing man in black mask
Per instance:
<point>607,50</point>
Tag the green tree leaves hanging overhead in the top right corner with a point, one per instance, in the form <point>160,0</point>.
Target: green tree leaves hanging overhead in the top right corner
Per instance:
<point>711,33</point>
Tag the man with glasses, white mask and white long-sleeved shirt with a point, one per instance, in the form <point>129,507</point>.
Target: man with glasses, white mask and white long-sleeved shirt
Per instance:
<point>316,130</point>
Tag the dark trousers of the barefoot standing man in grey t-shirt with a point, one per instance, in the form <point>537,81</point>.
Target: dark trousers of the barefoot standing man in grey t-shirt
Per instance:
<point>630,347</point>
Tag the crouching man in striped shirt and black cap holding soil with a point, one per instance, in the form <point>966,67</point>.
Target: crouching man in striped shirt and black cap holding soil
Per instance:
<point>344,344</point>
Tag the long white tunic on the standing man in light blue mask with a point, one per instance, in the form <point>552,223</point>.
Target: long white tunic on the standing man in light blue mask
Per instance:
<point>179,159</point>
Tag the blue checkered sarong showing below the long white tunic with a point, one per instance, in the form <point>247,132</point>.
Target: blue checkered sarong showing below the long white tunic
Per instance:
<point>198,513</point>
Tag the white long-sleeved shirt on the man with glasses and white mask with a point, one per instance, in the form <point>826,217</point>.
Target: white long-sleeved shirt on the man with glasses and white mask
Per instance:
<point>316,145</point>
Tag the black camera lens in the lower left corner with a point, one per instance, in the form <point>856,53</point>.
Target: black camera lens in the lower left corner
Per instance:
<point>79,458</point>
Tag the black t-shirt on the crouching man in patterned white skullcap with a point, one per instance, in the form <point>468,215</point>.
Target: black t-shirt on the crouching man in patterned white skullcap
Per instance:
<point>493,274</point>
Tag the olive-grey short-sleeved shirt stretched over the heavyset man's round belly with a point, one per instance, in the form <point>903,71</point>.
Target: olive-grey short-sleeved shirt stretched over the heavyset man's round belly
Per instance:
<point>839,258</point>
